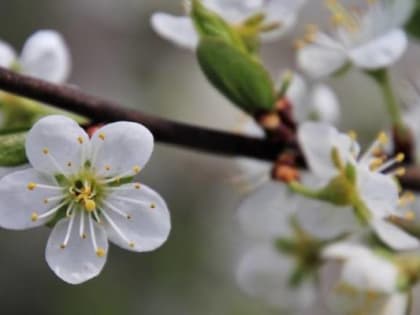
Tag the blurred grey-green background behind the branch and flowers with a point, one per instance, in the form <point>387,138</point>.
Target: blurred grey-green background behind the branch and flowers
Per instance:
<point>116,55</point>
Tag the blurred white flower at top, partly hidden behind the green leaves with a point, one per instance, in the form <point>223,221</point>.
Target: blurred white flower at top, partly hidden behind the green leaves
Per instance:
<point>180,29</point>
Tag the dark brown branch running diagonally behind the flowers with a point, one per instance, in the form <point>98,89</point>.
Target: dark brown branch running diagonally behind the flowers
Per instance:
<point>165,131</point>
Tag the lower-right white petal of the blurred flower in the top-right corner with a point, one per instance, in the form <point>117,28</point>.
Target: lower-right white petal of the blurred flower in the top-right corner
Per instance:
<point>381,52</point>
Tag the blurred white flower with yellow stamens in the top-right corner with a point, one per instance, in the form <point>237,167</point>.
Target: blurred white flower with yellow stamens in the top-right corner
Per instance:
<point>370,40</point>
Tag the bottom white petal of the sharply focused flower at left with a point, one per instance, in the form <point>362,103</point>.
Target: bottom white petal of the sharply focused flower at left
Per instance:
<point>78,261</point>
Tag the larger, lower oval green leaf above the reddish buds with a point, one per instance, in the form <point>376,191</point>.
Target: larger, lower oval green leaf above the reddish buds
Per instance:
<point>238,76</point>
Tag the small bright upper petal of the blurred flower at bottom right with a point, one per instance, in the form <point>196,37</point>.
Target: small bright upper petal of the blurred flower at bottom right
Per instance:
<point>345,250</point>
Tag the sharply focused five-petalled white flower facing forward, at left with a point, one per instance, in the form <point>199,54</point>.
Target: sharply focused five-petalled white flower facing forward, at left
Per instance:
<point>84,185</point>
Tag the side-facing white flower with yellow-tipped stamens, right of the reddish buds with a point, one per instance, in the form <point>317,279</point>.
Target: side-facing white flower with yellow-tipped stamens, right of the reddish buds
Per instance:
<point>374,194</point>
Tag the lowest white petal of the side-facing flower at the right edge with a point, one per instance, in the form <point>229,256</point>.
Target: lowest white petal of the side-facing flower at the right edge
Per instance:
<point>394,236</point>
